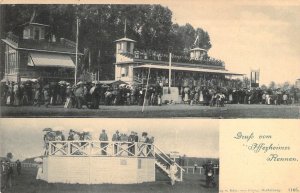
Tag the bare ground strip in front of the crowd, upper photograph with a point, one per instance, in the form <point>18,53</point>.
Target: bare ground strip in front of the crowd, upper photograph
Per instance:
<point>165,111</point>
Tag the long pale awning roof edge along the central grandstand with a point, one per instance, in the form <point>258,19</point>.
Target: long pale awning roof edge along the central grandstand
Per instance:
<point>188,69</point>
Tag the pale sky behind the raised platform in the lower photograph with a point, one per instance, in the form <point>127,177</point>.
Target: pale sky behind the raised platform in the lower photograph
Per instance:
<point>196,138</point>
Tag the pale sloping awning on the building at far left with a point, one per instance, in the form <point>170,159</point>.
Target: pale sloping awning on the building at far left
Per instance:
<point>50,60</point>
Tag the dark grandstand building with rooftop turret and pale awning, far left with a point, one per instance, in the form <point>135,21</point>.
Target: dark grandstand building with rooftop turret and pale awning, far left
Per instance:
<point>36,54</point>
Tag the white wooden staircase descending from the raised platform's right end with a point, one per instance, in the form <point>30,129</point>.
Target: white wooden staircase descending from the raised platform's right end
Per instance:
<point>163,162</point>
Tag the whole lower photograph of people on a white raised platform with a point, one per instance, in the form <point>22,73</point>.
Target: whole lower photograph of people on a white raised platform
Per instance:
<point>109,155</point>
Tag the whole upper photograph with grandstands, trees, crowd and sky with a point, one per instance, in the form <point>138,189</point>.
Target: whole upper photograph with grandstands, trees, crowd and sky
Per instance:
<point>198,59</point>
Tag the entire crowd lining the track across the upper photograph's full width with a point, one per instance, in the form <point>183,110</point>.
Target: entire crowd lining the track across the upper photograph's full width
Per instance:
<point>211,91</point>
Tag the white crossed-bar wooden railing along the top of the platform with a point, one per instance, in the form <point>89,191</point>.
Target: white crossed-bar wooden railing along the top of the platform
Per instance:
<point>99,148</point>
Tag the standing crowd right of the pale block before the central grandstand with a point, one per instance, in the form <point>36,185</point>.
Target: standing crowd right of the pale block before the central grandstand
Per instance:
<point>221,96</point>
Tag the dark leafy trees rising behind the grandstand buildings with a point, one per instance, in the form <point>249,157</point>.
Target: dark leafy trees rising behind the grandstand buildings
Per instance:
<point>100,25</point>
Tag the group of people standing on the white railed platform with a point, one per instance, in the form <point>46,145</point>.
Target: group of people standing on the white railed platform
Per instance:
<point>120,141</point>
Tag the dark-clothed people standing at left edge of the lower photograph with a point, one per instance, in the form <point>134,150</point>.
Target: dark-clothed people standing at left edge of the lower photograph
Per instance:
<point>7,173</point>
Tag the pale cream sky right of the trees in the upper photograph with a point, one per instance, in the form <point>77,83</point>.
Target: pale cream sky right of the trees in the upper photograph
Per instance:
<point>248,35</point>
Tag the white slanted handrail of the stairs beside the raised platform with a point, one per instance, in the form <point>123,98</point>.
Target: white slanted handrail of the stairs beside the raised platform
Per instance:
<point>159,154</point>
